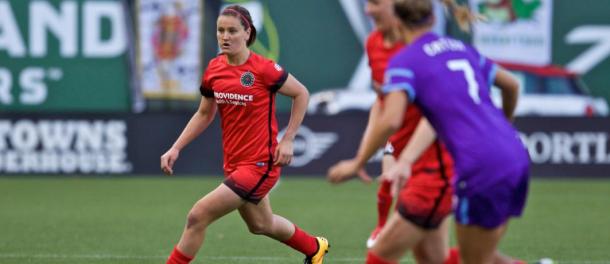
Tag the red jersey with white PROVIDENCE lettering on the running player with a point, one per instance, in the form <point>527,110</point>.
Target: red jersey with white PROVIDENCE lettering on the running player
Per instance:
<point>245,95</point>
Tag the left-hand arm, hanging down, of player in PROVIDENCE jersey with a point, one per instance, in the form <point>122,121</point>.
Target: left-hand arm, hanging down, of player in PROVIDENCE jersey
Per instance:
<point>198,123</point>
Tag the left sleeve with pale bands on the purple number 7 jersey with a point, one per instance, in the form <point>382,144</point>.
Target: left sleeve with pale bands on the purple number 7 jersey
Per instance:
<point>399,78</point>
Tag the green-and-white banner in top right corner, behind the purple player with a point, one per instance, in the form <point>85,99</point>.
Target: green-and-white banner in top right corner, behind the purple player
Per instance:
<point>579,32</point>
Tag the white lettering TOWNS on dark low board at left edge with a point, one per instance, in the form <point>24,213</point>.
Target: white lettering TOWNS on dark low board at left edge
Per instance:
<point>53,146</point>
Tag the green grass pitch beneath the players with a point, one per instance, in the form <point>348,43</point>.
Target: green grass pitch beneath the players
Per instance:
<point>138,220</point>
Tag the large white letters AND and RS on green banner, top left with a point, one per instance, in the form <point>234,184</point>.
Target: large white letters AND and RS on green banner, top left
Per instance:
<point>77,31</point>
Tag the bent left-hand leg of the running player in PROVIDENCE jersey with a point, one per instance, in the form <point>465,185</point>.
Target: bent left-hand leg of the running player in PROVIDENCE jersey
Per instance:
<point>212,206</point>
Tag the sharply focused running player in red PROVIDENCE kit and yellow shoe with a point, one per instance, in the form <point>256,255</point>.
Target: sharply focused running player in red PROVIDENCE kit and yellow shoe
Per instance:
<point>242,85</point>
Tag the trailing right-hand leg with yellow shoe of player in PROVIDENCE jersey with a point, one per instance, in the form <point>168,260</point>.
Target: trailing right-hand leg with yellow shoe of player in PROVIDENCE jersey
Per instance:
<point>261,221</point>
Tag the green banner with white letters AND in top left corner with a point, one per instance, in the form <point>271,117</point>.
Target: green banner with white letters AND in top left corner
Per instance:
<point>64,56</point>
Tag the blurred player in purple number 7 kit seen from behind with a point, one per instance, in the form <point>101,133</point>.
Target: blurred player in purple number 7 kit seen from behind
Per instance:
<point>450,82</point>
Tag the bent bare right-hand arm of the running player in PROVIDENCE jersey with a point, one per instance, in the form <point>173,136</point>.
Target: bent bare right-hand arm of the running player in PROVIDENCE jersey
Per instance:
<point>300,97</point>
